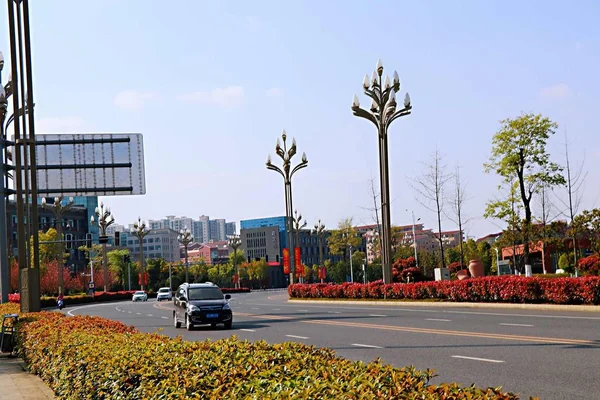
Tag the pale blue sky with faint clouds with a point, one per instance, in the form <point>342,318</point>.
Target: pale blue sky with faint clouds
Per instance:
<point>211,85</point>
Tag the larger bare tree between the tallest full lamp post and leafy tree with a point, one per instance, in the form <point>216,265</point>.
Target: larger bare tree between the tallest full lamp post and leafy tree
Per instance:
<point>430,188</point>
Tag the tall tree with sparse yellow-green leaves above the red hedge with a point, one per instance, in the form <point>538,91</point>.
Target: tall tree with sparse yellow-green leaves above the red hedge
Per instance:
<point>519,155</point>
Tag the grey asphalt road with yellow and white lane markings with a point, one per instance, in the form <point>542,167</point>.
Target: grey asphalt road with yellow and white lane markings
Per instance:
<point>553,355</point>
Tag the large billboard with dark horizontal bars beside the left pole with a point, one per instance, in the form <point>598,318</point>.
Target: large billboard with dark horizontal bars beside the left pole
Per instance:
<point>101,164</point>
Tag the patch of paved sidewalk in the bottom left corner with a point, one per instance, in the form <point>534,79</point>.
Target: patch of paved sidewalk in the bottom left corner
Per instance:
<point>16,383</point>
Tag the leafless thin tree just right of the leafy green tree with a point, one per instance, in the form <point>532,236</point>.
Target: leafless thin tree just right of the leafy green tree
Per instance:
<point>575,185</point>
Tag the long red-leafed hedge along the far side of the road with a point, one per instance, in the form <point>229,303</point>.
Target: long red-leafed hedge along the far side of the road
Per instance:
<point>505,289</point>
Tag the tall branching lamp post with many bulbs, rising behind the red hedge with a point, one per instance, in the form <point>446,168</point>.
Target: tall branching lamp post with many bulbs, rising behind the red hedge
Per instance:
<point>382,113</point>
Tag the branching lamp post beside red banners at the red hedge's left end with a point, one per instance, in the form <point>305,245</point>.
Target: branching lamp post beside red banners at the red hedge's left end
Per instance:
<point>287,172</point>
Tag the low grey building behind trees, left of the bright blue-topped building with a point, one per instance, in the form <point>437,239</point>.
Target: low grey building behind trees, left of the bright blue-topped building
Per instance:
<point>159,243</point>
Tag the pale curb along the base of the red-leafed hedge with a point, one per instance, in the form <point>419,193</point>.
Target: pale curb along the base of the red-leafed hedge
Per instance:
<point>440,304</point>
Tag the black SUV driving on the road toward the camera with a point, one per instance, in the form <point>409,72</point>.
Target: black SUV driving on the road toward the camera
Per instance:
<point>201,304</point>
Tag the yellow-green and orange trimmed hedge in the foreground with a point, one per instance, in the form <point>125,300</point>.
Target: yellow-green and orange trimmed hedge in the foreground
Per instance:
<point>91,357</point>
